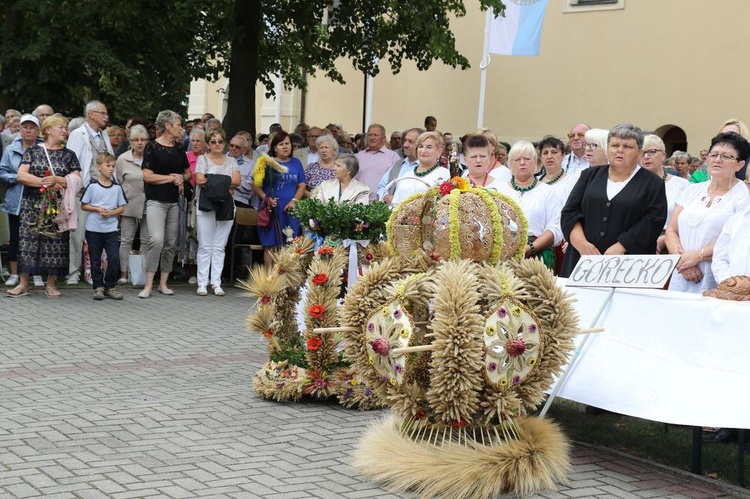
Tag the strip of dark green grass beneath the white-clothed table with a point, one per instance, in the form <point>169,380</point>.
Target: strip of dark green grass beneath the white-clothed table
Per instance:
<point>666,444</point>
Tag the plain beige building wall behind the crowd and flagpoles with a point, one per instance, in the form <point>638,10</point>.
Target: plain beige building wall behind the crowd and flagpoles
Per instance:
<point>674,66</point>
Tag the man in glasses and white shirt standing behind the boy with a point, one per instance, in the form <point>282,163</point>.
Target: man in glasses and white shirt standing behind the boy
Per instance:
<point>86,142</point>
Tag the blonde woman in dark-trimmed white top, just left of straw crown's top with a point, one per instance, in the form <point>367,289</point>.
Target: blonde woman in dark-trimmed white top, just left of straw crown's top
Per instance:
<point>428,171</point>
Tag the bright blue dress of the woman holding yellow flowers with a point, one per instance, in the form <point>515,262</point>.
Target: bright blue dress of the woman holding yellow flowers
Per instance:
<point>284,188</point>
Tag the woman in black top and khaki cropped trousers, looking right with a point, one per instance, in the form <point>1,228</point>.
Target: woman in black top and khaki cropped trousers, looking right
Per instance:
<point>165,169</point>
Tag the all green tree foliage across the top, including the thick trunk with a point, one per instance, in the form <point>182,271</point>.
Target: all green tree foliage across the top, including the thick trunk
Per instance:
<point>139,56</point>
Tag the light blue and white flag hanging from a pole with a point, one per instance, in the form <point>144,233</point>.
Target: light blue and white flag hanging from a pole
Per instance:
<point>518,33</point>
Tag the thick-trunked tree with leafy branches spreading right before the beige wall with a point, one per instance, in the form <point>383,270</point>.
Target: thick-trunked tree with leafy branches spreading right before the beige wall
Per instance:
<point>296,38</point>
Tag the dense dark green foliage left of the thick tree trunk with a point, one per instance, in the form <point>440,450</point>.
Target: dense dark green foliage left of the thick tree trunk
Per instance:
<point>137,56</point>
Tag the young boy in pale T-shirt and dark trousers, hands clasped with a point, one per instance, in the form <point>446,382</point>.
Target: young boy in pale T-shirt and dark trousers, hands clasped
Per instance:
<point>105,200</point>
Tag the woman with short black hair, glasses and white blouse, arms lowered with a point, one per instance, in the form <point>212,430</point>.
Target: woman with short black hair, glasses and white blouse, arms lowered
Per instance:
<point>701,212</point>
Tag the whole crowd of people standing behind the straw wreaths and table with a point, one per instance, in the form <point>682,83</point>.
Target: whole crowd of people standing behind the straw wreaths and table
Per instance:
<point>175,188</point>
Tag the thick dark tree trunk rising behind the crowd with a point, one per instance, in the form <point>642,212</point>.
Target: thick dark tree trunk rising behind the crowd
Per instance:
<point>243,68</point>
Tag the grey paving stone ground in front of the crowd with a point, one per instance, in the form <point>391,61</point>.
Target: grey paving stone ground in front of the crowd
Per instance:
<point>153,398</point>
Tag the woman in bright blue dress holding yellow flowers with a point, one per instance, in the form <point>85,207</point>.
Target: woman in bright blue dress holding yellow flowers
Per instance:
<point>280,191</point>
